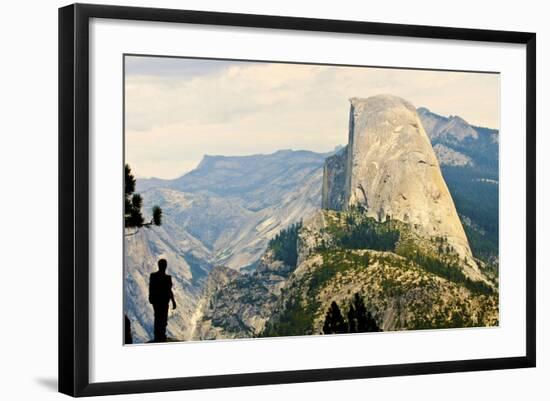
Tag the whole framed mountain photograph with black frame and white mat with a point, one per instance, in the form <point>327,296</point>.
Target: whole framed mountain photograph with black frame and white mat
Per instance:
<point>250,199</point>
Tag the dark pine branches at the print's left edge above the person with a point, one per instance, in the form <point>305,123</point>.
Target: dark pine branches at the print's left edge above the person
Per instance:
<point>132,205</point>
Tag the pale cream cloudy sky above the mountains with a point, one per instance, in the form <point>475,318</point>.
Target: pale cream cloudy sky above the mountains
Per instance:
<point>177,109</point>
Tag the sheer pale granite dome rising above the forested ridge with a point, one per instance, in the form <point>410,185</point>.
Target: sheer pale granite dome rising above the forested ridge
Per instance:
<point>390,169</point>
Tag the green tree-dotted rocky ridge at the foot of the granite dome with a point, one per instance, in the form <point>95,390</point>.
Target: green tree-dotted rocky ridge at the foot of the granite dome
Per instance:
<point>407,281</point>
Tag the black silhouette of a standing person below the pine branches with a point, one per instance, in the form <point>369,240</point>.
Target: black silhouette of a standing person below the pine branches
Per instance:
<point>160,295</point>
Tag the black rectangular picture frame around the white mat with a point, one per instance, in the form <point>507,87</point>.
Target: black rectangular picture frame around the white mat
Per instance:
<point>74,198</point>
